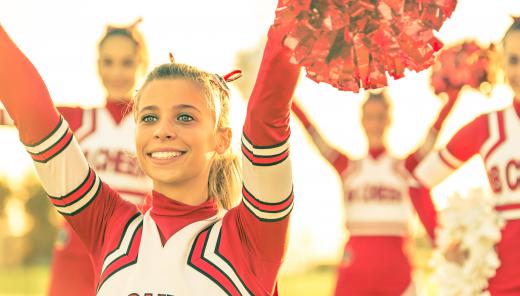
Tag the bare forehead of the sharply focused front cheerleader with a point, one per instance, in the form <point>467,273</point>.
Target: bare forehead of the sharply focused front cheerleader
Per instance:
<point>171,92</point>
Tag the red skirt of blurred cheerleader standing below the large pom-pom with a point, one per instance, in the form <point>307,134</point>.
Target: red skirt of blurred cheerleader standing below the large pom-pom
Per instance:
<point>374,265</point>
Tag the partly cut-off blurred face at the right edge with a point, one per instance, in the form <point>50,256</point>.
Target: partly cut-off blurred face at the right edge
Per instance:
<point>512,61</point>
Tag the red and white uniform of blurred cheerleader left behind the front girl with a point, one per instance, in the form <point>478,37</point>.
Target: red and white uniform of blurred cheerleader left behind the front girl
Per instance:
<point>106,137</point>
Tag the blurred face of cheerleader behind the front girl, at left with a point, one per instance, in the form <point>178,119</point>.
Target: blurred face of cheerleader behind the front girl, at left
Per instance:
<point>117,66</point>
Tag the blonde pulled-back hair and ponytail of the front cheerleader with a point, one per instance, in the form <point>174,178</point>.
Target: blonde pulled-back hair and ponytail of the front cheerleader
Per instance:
<point>224,176</point>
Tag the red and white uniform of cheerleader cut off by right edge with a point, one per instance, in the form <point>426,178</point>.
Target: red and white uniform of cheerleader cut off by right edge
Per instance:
<point>496,138</point>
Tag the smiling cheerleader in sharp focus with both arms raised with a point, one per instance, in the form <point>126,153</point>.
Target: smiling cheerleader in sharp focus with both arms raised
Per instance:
<point>192,241</point>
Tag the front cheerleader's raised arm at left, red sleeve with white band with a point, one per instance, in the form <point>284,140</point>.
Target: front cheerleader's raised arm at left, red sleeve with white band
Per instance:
<point>74,189</point>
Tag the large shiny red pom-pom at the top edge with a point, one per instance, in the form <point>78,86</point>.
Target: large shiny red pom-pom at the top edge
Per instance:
<point>352,44</point>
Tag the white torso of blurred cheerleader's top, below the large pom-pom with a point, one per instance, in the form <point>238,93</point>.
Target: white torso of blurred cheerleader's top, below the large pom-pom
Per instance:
<point>376,196</point>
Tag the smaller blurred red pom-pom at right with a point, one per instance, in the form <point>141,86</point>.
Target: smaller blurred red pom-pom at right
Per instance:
<point>465,64</point>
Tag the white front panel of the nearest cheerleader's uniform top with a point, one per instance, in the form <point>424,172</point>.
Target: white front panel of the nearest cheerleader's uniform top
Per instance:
<point>165,268</point>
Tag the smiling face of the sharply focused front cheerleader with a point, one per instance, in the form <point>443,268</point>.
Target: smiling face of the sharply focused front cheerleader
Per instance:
<point>176,138</point>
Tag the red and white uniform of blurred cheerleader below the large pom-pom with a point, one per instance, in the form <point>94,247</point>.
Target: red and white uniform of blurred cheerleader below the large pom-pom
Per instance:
<point>379,200</point>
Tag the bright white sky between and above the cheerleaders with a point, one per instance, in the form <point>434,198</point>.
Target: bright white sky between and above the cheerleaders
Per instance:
<point>60,37</point>
